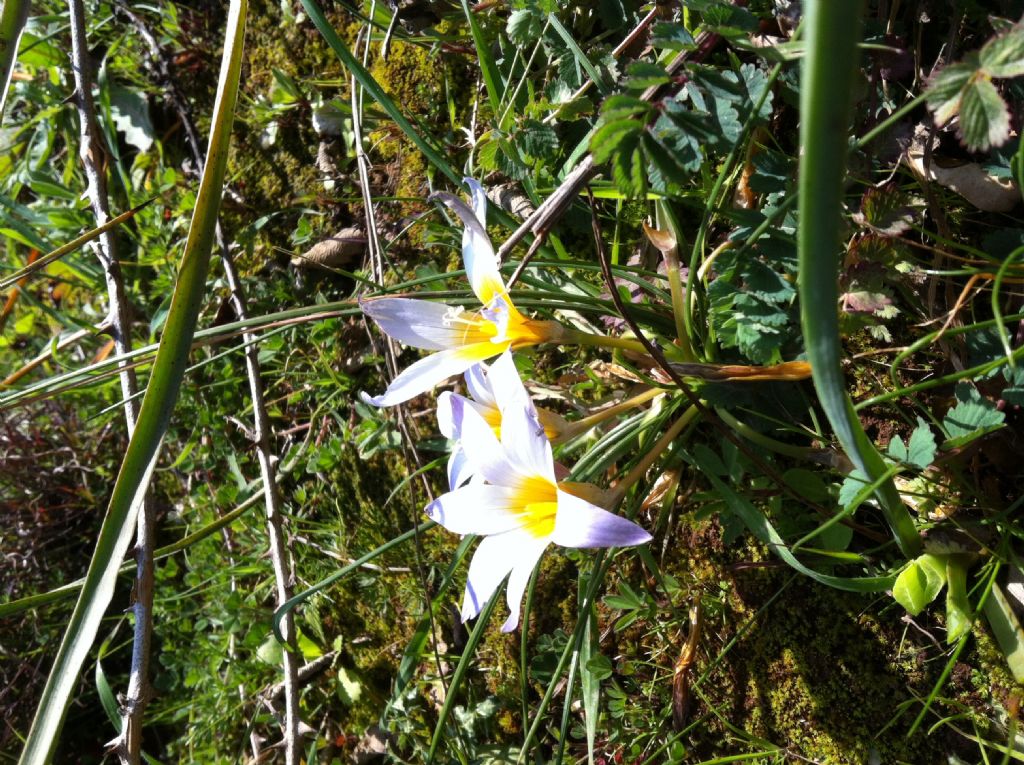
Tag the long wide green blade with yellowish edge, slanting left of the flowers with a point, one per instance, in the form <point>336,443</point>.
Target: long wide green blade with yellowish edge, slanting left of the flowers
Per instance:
<point>165,382</point>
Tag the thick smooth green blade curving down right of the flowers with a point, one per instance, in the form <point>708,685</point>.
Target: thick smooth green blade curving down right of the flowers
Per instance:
<point>833,29</point>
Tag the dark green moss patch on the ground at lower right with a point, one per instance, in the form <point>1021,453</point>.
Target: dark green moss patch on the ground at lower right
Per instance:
<point>823,673</point>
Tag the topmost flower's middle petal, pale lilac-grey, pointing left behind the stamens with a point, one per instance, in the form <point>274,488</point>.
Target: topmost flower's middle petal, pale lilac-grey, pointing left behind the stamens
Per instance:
<point>423,324</point>
